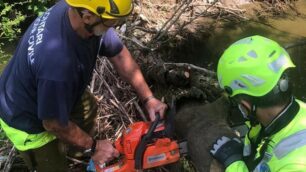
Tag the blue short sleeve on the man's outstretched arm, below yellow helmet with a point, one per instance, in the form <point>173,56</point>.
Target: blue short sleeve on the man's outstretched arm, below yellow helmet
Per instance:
<point>111,44</point>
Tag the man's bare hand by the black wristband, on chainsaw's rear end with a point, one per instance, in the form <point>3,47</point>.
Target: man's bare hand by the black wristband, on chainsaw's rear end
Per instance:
<point>104,152</point>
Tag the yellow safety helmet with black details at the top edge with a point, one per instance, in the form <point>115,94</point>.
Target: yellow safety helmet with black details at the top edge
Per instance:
<point>108,9</point>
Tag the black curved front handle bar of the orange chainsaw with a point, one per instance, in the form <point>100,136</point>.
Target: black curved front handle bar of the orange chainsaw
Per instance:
<point>142,145</point>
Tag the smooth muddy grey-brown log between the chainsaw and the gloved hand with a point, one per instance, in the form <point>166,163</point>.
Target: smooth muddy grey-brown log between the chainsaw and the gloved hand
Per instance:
<point>201,125</point>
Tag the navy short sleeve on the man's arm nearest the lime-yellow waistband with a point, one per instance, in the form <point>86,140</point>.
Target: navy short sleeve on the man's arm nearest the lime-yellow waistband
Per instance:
<point>55,100</point>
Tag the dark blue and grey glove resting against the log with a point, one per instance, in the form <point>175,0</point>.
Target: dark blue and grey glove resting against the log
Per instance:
<point>227,150</point>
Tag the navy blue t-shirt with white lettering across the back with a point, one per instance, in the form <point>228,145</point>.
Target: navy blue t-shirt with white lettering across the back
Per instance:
<point>50,70</point>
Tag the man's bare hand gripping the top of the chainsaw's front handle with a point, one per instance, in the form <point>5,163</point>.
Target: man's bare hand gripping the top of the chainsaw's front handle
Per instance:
<point>154,106</point>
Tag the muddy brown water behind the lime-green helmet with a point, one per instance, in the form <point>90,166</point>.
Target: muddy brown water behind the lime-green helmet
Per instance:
<point>288,31</point>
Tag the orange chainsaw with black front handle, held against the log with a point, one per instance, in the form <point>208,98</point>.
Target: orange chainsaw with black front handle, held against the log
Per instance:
<point>145,145</point>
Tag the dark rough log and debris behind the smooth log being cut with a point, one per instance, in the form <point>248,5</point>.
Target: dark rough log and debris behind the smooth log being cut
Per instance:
<point>184,81</point>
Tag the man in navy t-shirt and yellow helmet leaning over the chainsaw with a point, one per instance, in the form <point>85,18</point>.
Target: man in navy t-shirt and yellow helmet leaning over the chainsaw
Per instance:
<point>45,81</point>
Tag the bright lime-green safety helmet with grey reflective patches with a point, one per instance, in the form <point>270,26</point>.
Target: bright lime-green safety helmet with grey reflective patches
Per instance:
<point>252,66</point>
